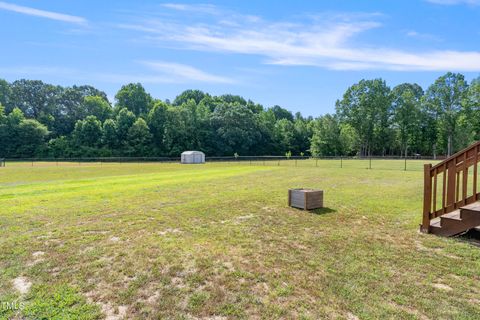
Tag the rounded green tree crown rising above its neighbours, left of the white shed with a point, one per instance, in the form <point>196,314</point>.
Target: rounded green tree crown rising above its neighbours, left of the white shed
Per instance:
<point>134,98</point>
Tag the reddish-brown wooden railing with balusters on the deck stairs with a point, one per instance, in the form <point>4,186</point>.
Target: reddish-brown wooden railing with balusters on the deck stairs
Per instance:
<point>451,176</point>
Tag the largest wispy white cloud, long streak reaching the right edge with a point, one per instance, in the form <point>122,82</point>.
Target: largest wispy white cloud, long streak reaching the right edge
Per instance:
<point>332,41</point>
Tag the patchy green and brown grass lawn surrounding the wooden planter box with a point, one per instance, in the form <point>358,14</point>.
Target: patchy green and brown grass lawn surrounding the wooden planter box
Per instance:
<point>151,241</point>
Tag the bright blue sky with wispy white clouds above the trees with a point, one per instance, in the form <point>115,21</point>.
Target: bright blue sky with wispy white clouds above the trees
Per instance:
<point>301,55</point>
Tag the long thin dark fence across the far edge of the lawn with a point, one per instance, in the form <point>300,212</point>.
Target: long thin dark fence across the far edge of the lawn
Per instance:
<point>373,162</point>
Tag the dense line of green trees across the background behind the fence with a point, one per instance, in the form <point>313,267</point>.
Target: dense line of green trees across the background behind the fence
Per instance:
<point>43,120</point>
